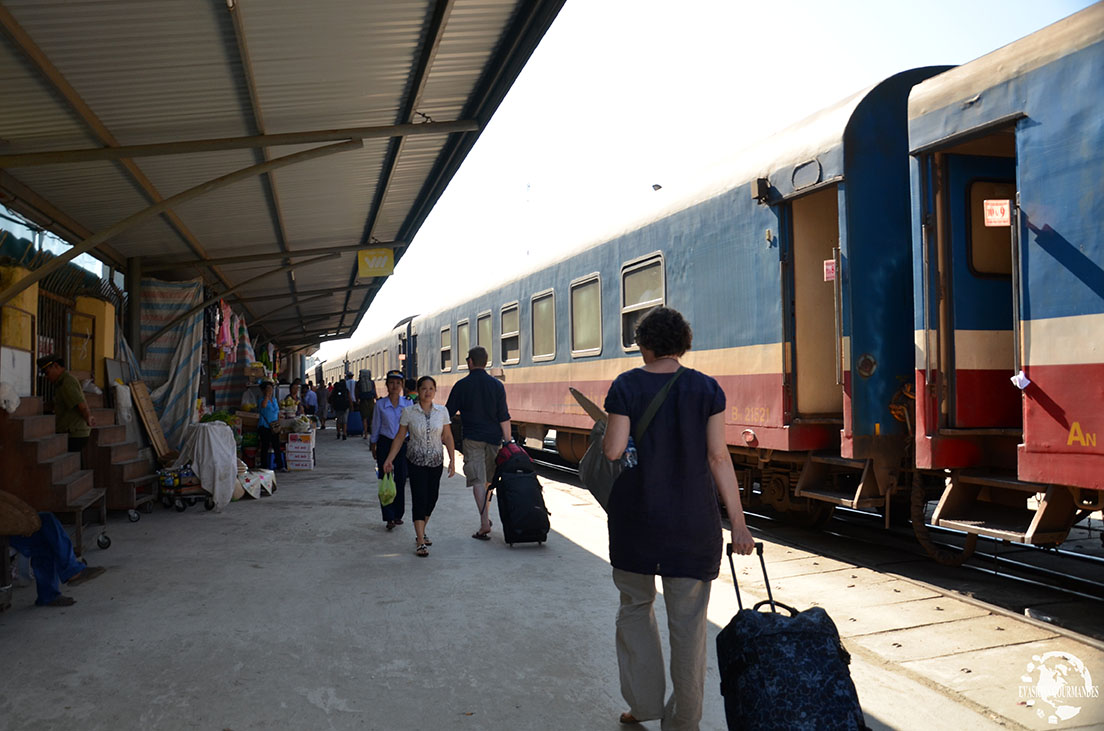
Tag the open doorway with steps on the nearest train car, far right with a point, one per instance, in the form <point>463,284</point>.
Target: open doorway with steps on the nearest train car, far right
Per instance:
<point>981,410</point>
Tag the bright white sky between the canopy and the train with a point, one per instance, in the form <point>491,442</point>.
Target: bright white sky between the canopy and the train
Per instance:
<point>622,94</point>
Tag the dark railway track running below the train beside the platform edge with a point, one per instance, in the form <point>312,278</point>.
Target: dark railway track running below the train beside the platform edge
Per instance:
<point>1063,587</point>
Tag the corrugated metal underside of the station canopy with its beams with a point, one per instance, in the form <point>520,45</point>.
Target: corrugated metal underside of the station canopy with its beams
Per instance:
<point>339,124</point>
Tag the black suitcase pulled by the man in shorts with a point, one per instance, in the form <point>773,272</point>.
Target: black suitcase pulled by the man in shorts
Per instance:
<point>521,499</point>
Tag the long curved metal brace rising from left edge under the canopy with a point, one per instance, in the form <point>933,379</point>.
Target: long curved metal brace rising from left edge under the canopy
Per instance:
<point>208,187</point>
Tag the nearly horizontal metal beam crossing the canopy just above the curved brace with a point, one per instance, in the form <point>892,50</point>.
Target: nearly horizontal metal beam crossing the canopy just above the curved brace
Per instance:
<point>122,153</point>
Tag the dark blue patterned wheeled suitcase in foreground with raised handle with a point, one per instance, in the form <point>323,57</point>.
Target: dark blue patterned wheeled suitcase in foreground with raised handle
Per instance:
<point>781,672</point>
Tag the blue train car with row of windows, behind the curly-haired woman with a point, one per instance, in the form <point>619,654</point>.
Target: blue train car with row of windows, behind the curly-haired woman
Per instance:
<point>794,269</point>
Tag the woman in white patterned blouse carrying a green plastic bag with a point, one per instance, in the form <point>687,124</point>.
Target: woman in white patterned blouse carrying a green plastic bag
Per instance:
<point>427,425</point>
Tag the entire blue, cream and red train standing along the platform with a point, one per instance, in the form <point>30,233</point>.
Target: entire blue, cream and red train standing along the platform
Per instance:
<point>861,323</point>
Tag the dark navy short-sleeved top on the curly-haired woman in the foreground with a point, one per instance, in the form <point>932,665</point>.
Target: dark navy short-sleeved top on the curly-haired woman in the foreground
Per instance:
<point>664,517</point>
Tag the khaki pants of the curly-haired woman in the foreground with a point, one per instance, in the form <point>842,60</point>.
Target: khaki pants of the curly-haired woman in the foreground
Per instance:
<point>641,654</point>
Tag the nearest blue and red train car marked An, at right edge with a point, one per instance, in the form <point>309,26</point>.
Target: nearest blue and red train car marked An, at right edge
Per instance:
<point>1010,279</point>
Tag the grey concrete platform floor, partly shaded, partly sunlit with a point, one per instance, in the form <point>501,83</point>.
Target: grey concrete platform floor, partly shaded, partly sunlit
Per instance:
<point>301,611</point>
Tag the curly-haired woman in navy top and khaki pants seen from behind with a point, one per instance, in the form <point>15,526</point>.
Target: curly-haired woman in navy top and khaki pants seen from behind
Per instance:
<point>664,520</point>
